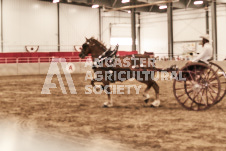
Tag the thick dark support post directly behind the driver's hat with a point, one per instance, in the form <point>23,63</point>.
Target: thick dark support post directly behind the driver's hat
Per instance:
<point>214,27</point>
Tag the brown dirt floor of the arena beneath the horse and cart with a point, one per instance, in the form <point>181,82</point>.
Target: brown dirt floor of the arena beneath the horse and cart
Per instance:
<point>129,125</point>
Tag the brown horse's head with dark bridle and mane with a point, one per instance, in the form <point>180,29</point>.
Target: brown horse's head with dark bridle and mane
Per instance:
<point>93,47</point>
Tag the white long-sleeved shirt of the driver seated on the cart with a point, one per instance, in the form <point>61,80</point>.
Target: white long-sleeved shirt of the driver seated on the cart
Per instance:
<point>206,53</point>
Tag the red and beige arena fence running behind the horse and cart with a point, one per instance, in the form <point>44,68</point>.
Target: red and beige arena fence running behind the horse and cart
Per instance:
<point>15,64</point>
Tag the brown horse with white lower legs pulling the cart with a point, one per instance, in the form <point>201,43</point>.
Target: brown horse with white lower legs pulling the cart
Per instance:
<point>96,48</point>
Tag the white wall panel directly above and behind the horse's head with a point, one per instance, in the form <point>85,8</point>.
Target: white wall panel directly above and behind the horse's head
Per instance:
<point>76,23</point>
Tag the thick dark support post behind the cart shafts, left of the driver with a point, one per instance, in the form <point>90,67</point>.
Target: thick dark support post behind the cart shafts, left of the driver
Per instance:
<point>170,29</point>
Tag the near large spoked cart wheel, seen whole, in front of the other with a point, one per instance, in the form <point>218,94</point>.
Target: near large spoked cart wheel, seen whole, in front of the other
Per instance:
<point>201,88</point>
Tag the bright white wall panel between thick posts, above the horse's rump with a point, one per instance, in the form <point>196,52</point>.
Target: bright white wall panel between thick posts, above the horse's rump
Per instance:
<point>154,36</point>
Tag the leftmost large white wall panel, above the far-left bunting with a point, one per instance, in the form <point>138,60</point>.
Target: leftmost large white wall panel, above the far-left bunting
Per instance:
<point>29,22</point>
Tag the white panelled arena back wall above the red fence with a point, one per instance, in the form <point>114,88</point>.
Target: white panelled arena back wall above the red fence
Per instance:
<point>34,22</point>
